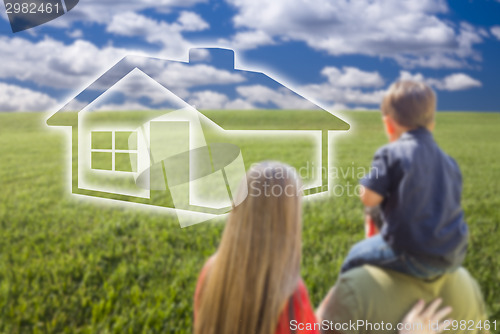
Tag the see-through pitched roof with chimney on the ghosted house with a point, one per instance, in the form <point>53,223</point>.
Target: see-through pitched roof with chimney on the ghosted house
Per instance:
<point>312,117</point>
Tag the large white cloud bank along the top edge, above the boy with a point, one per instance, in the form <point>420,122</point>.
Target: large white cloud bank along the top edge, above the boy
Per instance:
<point>408,31</point>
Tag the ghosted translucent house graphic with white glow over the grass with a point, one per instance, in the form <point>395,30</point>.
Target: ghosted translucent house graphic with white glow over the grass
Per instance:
<point>177,155</point>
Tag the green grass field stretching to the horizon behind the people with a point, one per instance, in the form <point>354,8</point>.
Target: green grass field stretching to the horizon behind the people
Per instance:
<point>74,266</point>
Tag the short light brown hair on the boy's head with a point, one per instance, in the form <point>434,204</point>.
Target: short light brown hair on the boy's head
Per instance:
<point>411,104</point>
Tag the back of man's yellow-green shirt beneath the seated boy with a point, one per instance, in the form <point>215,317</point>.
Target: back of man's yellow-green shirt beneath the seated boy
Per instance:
<point>375,296</point>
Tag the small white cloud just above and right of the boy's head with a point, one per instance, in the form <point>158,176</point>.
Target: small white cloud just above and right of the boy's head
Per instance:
<point>452,82</point>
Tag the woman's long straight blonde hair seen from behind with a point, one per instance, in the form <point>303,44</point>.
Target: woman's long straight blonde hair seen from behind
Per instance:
<point>257,266</point>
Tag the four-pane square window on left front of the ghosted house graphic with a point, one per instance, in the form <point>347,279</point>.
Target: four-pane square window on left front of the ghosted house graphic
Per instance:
<point>114,150</point>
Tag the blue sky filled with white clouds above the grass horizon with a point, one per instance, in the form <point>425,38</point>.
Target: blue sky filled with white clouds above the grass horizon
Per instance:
<point>341,53</point>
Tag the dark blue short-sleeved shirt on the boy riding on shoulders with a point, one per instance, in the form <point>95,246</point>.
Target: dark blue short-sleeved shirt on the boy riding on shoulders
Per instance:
<point>422,188</point>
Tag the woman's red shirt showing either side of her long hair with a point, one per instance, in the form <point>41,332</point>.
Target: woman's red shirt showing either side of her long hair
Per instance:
<point>303,311</point>
